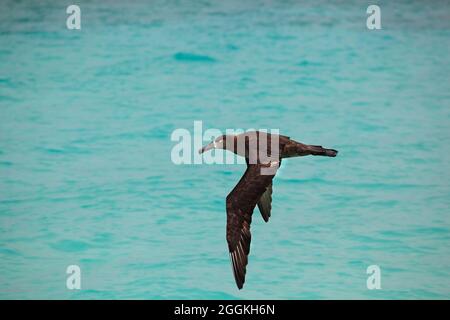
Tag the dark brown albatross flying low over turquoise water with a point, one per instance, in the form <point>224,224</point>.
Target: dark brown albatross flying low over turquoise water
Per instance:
<point>263,154</point>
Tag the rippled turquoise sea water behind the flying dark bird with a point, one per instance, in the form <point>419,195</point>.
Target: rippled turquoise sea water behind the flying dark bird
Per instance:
<point>86,176</point>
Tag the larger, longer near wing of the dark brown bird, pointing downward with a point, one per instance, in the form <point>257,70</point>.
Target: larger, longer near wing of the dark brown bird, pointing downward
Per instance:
<point>240,205</point>
